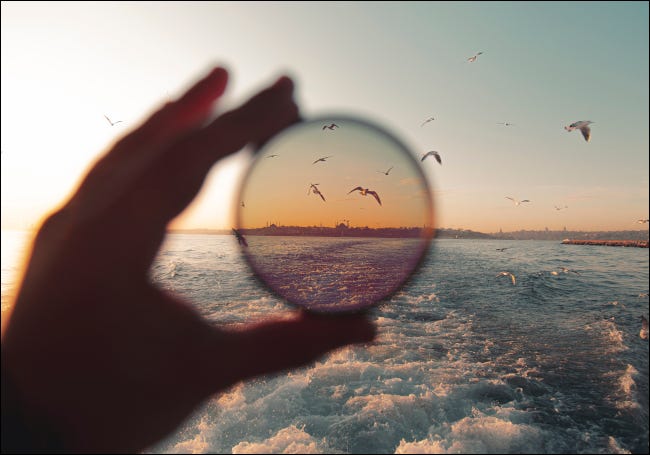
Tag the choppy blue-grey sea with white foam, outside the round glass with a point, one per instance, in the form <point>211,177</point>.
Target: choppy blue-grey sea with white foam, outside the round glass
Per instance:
<point>465,361</point>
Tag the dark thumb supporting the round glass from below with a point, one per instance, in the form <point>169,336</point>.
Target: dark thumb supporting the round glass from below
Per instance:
<point>275,346</point>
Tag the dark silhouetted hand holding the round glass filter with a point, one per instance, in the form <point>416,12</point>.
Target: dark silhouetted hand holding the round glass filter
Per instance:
<point>101,359</point>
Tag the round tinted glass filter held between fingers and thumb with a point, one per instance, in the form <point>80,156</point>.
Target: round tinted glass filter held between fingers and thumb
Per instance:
<point>334,214</point>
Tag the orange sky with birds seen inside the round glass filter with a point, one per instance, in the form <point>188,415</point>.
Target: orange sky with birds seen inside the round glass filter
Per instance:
<point>278,187</point>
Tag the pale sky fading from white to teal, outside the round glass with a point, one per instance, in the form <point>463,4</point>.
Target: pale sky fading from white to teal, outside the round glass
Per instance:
<point>543,66</point>
